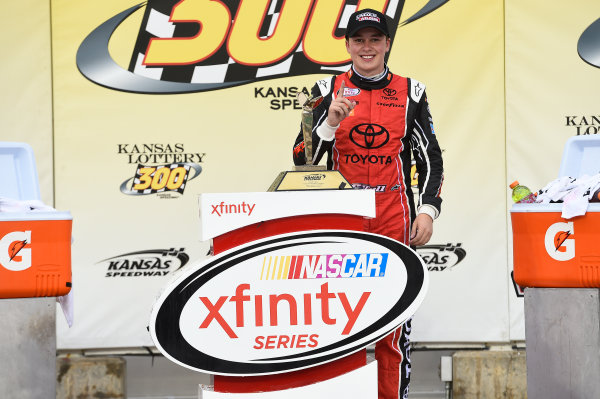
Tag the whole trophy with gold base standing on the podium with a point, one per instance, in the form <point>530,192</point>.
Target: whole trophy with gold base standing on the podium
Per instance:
<point>309,176</point>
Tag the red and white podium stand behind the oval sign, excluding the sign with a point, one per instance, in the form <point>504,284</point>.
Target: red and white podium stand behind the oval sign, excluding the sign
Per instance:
<point>296,211</point>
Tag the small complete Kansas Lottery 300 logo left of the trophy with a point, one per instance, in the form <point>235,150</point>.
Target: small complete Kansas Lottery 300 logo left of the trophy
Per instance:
<point>161,179</point>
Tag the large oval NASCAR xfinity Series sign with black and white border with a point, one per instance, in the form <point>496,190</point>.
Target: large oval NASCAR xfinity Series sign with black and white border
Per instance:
<point>288,302</point>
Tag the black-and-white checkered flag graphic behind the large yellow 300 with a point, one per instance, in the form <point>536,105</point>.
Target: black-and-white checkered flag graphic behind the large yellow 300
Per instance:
<point>220,68</point>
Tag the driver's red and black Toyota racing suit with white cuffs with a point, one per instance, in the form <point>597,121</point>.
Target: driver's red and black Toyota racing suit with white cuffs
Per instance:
<point>372,148</point>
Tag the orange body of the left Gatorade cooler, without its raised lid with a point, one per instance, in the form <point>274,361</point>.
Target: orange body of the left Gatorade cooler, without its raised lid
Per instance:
<point>35,254</point>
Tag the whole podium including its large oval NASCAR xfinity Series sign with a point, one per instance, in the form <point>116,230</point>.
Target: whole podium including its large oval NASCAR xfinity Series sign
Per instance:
<point>294,293</point>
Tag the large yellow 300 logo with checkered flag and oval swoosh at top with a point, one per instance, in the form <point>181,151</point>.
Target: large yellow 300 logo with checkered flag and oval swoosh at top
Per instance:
<point>187,46</point>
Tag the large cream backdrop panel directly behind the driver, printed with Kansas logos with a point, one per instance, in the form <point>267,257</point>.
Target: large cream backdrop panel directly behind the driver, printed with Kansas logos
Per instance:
<point>110,136</point>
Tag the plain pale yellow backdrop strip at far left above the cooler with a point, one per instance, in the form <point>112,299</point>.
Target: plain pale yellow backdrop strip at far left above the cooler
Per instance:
<point>26,82</point>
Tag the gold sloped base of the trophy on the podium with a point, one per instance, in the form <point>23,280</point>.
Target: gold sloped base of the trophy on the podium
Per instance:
<point>310,177</point>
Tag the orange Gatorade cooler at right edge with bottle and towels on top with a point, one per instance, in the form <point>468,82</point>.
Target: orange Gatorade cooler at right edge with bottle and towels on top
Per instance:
<point>549,251</point>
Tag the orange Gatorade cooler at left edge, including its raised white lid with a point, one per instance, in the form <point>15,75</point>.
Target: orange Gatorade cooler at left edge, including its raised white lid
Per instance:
<point>35,247</point>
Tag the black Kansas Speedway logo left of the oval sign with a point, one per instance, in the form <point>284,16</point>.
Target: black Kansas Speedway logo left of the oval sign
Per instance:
<point>148,263</point>
